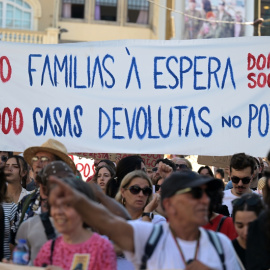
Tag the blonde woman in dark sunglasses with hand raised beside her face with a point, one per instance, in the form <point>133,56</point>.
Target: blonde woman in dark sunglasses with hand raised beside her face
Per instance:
<point>135,193</point>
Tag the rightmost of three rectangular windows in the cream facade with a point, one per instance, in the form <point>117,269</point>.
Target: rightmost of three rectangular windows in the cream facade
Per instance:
<point>138,11</point>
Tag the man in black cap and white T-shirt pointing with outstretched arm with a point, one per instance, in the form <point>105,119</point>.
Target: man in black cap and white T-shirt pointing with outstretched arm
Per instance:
<point>182,244</point>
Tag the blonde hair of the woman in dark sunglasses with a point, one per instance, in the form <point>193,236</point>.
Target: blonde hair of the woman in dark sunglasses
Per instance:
<point>127,180</point>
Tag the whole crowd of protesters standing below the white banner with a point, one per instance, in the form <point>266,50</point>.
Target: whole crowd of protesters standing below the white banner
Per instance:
<point>128,216</point>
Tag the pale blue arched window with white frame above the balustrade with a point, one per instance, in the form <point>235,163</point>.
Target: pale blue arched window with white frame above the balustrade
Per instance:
<point>15,14</point>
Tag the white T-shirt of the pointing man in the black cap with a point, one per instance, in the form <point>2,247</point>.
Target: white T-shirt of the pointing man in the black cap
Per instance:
<point>166,254</point>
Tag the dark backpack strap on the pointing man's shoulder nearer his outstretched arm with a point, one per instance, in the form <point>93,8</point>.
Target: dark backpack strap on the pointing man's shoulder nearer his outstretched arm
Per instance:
<point>151,244</point>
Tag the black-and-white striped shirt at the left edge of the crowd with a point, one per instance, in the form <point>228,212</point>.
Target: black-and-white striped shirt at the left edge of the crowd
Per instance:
<point>9,213</point>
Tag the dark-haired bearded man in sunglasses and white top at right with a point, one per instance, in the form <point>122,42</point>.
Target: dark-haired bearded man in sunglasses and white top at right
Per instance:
<point>241,174</point>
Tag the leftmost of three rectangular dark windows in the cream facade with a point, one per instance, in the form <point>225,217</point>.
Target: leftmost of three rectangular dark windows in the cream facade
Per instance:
<point>73,9</point>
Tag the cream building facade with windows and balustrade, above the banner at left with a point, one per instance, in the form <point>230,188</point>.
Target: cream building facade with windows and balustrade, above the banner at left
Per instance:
<point>59,21</point>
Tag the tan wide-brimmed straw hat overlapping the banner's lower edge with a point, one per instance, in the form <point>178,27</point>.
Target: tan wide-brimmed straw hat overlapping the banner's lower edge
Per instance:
<point>52,146</point>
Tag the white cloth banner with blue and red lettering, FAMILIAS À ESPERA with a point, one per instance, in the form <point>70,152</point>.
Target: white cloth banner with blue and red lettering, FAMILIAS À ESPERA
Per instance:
<point>203,97</point>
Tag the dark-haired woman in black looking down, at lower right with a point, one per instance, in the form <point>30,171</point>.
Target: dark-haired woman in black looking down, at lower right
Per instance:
<point>246,209</point>
